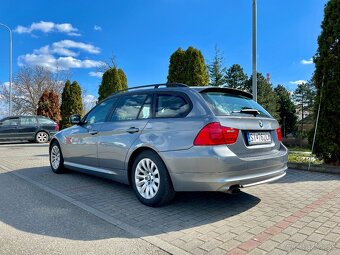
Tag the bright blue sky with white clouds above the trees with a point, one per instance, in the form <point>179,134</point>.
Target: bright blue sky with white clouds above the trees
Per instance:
<point>143,34</point>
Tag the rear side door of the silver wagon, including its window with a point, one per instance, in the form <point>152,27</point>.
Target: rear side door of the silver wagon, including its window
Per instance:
<point>122,129</point>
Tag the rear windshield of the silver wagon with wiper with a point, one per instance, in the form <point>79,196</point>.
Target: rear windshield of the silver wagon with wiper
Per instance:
<point>225,104</point>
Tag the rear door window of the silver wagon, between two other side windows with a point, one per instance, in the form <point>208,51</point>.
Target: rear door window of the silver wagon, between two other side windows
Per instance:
<point>129,108</point>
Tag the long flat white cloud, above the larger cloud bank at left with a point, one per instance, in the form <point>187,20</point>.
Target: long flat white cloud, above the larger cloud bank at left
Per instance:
<point>47,27</point>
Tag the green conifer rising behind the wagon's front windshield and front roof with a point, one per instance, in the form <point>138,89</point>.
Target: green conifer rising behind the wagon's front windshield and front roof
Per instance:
<point>111,82</point>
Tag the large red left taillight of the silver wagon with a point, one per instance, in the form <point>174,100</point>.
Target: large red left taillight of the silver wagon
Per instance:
<point>215,134</point>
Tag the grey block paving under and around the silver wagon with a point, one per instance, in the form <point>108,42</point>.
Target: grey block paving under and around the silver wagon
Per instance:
<point>299,214</point>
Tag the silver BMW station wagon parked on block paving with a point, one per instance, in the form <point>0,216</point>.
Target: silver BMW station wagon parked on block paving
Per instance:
<point>170,137</point>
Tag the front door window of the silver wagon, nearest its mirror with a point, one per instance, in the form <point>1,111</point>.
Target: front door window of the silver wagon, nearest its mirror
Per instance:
<point>99,113</point>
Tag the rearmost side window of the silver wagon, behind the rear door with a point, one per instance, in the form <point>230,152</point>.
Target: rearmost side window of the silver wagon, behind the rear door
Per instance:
<point>171,106</point>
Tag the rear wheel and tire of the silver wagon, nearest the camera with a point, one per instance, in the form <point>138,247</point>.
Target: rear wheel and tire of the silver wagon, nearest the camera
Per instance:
<point>151,181</point>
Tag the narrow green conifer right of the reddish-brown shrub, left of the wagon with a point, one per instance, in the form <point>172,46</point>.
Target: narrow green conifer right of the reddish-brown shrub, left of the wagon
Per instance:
<point>71,103</point>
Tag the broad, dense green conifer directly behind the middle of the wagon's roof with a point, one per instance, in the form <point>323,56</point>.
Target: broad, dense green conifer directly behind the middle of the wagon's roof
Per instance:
<point>188,67</point>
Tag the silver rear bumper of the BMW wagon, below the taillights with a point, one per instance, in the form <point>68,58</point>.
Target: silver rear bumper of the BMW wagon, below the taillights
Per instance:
<point>218,169</point>
